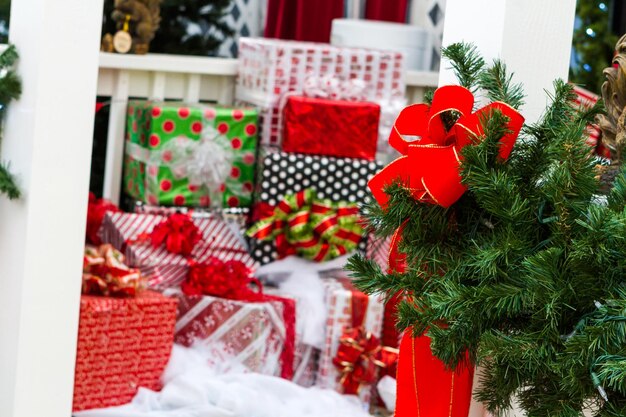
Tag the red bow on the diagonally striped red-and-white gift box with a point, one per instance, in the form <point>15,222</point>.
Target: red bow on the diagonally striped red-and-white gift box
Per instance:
<point>178,232</point>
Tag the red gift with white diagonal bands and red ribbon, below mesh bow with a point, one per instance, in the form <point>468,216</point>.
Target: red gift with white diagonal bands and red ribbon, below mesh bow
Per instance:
<point>255,336</point>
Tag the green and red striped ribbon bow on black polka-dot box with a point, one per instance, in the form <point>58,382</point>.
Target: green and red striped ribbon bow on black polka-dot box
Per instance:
<point>314,229</point>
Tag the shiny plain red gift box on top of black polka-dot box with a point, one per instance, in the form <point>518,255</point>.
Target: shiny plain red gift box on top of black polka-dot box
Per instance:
<point>330,127</point>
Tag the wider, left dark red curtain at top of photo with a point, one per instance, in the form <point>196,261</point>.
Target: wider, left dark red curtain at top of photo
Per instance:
<point>302,20</point>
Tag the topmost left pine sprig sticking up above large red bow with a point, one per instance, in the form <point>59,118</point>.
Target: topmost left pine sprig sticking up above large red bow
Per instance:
<point>466,63</point>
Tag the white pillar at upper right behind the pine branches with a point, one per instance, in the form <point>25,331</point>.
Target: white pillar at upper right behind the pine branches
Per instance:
<point>533,37</point>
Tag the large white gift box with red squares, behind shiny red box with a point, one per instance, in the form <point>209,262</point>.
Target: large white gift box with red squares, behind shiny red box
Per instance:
<point>269,69</point>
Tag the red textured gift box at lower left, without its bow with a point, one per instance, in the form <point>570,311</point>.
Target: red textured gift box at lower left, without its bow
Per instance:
<point>123,344</point>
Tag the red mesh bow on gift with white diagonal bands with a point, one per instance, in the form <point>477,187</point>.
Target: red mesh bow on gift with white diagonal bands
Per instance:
<point>230,279</point>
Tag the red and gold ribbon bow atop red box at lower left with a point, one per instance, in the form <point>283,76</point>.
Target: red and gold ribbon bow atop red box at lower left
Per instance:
<point>104,273</point>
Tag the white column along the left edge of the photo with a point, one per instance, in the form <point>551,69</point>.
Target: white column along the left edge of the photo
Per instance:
<point>48,138</point>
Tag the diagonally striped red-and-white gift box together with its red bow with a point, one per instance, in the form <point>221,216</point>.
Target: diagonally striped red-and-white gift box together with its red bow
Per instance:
<point>164,247</point>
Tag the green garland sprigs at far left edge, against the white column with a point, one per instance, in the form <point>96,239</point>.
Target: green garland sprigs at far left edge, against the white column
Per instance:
<point>10,89</point>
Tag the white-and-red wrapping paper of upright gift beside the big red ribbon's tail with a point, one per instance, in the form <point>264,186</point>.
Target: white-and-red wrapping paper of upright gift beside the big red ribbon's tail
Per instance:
<point>339,293</point>
